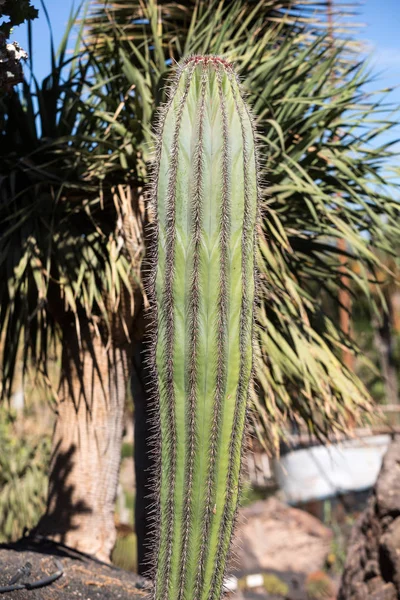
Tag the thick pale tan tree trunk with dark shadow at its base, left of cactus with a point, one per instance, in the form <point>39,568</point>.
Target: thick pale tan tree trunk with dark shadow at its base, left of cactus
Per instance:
<point>86,447</point>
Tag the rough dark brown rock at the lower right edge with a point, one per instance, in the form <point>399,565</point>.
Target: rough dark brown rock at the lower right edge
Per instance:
<point>372,568</point>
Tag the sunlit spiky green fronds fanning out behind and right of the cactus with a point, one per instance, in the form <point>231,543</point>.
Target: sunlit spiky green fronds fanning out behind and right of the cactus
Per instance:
<point>323,173</point>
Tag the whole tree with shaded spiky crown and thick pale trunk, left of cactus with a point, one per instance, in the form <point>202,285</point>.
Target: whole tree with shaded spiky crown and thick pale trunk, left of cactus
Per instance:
<point>70,281</point>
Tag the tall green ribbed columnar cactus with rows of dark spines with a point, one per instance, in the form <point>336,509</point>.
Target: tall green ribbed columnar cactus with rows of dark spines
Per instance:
<point>205,201</point>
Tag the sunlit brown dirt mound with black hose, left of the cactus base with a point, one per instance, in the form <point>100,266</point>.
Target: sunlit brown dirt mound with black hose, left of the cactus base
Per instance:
<point>82,578</point>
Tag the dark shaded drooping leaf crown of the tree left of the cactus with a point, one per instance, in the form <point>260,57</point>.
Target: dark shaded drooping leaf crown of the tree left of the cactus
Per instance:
<point>63,240</point>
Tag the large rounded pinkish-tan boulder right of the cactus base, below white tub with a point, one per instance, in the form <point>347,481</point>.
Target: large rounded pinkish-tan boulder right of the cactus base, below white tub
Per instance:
<point>272,535</point>
